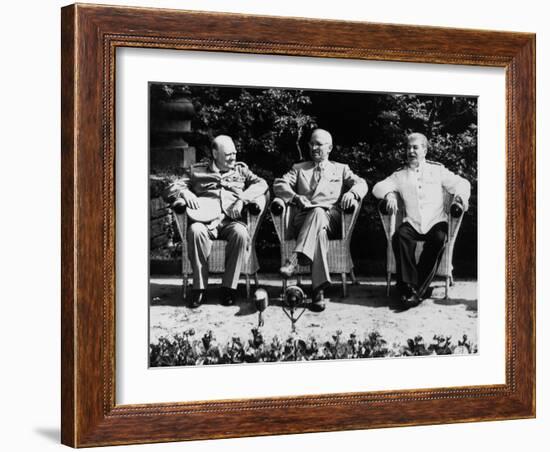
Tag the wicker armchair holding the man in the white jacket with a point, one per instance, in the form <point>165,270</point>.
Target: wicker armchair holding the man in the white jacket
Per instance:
<point>391,222</point>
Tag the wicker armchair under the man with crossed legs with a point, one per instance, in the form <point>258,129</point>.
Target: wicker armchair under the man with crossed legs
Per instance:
<point>339,255</point>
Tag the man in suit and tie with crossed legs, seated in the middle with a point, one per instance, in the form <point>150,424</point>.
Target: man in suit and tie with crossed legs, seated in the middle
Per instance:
<point>319,188</point>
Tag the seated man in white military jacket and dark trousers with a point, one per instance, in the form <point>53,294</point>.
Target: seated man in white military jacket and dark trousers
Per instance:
<point>421,184</point>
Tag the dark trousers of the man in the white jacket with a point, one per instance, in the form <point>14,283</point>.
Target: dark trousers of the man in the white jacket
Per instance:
<point>404,245</point>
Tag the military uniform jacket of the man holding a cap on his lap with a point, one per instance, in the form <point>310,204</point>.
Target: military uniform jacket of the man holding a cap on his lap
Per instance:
<point>206,180</point>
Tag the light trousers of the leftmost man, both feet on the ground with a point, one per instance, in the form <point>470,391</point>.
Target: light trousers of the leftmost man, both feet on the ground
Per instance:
<point>199,245</point>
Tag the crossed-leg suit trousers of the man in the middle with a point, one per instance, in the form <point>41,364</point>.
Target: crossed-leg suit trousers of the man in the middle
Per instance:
<point>314,226</point>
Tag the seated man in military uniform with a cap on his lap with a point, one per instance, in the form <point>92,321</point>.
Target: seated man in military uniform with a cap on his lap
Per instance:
<point>215,193</point>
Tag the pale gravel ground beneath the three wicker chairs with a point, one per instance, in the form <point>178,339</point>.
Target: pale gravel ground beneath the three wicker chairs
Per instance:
<point>366,309</point>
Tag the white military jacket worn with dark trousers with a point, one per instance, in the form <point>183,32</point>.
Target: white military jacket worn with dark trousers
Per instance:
<point>422,190</point>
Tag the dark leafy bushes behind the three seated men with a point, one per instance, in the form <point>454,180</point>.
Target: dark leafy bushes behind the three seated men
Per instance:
<point>271,126</point>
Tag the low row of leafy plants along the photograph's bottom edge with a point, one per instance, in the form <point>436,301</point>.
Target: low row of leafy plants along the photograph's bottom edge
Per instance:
<point>185,350</point>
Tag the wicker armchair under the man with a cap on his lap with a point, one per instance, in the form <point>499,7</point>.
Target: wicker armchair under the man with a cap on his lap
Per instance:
<point>254,213</point>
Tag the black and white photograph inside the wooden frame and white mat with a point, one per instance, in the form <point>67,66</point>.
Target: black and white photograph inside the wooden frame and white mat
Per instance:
<point>303,225</point>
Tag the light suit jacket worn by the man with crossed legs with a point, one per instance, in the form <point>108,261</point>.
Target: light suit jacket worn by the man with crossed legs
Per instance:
<point>336,179</point>
